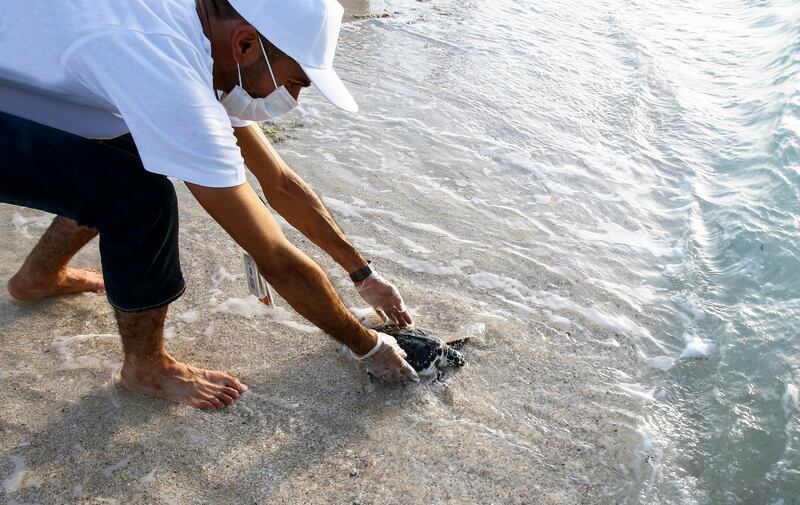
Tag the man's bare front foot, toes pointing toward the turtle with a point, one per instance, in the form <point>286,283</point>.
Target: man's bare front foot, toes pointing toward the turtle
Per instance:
<point>169,379</point>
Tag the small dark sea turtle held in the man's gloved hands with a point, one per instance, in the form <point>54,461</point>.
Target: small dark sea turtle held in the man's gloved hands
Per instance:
<point>424,352</point>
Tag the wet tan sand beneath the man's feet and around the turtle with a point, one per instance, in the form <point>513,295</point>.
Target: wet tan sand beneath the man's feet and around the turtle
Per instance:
<point>312,428</point>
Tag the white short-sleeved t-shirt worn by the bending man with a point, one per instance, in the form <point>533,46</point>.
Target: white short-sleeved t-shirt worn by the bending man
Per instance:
<point>100,68</point>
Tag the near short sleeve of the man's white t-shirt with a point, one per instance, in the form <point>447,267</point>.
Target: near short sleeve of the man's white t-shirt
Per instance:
<point>163,90</point>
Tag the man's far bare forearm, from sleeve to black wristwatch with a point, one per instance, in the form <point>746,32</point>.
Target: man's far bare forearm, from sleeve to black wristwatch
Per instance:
<point>293,199</point>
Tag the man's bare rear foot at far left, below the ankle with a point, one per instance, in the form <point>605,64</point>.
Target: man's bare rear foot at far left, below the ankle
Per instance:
<point>27,287</point>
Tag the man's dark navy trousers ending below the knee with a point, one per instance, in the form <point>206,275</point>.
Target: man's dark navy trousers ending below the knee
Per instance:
<point>103,185</point>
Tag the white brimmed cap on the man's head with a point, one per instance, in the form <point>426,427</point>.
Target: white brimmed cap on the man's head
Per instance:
<point>307,32</point>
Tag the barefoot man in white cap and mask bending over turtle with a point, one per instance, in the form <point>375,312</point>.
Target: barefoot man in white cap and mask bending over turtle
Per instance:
<point>75,71</point>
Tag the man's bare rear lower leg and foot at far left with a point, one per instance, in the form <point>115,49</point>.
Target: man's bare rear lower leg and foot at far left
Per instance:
<point>45,272</point>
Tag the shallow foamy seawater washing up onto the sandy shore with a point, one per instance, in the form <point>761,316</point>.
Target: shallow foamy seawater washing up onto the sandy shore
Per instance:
<point>612,181</point>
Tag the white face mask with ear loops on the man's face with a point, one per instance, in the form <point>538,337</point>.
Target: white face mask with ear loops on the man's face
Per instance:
<point>240,104</point>
